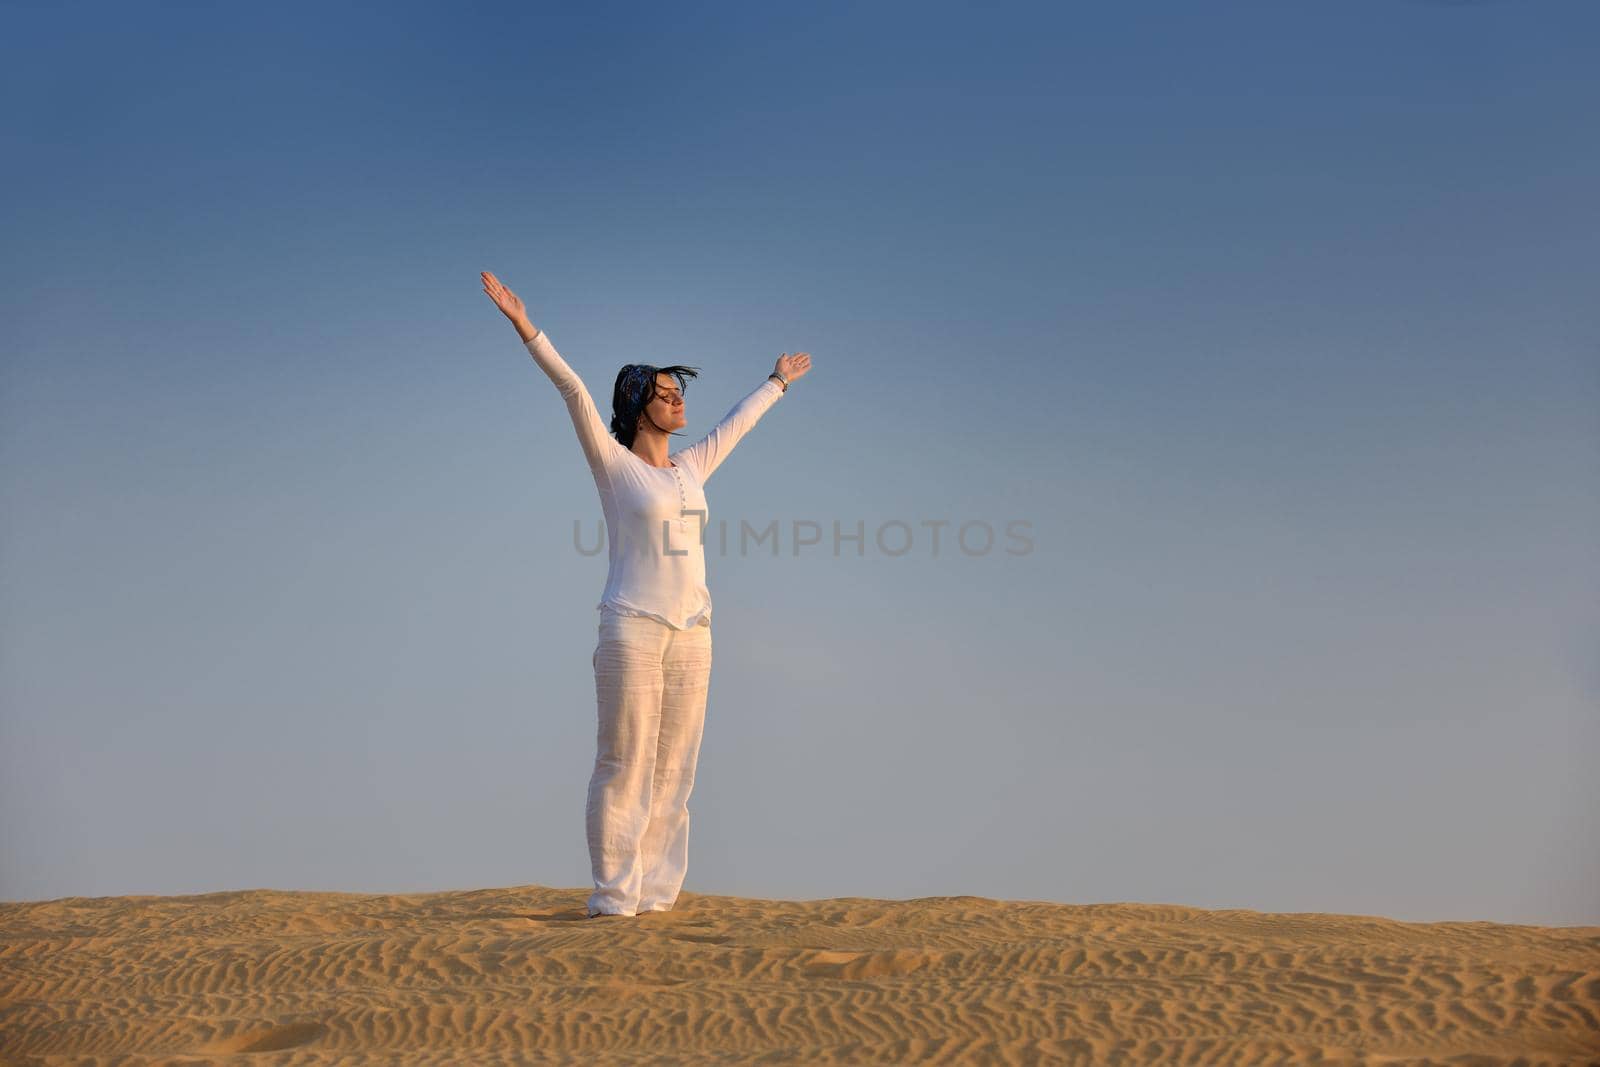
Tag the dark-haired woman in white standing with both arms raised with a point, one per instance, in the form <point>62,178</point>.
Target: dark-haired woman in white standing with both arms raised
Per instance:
<point>654,657</point>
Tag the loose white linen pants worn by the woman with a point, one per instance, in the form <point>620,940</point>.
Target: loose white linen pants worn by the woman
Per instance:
<point>650,690</point>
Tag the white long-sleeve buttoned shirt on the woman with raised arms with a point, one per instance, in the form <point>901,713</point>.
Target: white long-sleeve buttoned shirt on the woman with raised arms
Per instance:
<point>655,518</point>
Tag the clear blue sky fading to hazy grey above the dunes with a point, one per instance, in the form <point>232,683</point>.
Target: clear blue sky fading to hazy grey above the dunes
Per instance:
<point>1274,322</point>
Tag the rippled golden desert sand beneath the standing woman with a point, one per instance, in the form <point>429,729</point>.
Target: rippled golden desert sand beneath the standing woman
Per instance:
<point>522,977</point>
